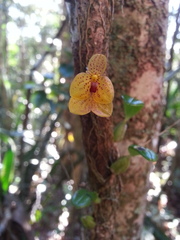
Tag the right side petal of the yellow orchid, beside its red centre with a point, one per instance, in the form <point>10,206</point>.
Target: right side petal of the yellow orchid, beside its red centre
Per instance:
<point>105,91</point>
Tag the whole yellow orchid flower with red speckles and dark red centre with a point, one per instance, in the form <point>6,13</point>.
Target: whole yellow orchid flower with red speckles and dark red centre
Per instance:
<point>92,91</point>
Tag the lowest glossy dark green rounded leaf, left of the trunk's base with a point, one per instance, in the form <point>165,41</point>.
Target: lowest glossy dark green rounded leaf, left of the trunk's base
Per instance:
<point>83,198</point>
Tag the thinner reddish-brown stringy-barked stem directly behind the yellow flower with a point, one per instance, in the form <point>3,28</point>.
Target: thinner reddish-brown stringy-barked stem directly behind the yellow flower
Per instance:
<point>90,26</point>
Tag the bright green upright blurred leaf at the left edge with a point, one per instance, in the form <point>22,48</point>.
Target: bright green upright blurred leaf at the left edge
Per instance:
<point>7,171</point>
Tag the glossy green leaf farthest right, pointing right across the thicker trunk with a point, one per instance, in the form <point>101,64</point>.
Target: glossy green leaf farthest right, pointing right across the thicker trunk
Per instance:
<point>145,152</point>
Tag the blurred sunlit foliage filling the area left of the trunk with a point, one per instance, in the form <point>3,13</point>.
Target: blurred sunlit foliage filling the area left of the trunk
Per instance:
<point>35,71</point>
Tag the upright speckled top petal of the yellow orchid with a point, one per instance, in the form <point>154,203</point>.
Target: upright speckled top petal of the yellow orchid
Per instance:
<point>97,64</point>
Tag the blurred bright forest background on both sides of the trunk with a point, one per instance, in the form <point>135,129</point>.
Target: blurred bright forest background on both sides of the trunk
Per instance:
<point>42,158</point>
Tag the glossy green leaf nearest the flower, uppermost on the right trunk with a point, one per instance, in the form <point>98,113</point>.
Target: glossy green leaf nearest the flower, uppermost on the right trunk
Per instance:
<point>131,106</point>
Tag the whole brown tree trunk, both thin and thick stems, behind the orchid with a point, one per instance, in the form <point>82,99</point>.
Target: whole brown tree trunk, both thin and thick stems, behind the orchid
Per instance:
<point>136,58</point>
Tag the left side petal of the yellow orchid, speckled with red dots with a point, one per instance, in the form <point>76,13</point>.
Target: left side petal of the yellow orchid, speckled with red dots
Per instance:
<point>80,86</point>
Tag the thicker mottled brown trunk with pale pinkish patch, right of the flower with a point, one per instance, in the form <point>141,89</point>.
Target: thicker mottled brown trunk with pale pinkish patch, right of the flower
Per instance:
<point>137,49</point>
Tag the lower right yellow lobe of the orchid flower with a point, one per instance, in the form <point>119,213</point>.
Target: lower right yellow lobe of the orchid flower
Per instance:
<point>102,110</point>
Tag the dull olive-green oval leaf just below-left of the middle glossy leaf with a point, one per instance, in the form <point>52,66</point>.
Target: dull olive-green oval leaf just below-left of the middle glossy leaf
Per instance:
<point>121,165</point>
